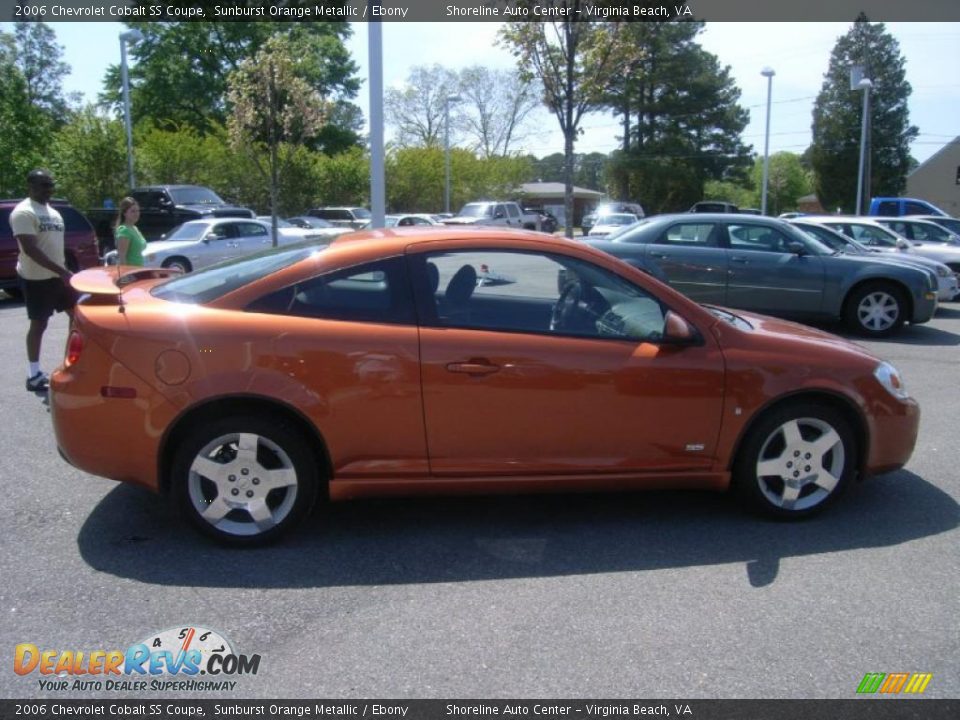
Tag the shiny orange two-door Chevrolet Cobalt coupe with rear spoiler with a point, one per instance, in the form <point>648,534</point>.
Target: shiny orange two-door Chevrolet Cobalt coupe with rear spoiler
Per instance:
<point>454,361</point>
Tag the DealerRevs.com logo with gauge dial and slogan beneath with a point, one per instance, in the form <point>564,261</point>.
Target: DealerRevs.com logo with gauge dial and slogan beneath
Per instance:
<point>187,658</point>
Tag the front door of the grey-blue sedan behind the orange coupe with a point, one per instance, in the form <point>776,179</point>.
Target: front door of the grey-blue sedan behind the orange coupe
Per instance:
<point>767,276</point>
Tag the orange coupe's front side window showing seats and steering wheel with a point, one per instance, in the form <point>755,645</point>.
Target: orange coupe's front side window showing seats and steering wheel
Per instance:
<point>509,291</point>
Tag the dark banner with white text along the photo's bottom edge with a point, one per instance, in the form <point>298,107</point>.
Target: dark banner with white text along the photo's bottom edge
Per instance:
<point>162,709</point>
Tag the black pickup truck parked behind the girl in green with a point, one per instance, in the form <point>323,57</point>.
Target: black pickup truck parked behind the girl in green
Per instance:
<point>162,208</point>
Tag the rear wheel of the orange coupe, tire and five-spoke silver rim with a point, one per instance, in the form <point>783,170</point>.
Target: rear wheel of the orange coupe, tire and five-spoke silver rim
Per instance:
<point>236,504</point>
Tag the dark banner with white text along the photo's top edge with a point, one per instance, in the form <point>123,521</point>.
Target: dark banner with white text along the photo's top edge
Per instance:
<point>474,10</point>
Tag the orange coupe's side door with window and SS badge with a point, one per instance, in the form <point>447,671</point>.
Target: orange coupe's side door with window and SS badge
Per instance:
<point>504,394</point>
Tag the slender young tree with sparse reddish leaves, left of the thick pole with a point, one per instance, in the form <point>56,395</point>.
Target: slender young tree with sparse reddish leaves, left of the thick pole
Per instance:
<point>273,109</point>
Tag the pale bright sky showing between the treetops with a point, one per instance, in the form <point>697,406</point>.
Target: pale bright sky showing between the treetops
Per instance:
<point>799,53</point>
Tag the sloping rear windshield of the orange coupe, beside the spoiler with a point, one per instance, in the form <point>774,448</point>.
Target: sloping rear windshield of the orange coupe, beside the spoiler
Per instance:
<point>206,285</point>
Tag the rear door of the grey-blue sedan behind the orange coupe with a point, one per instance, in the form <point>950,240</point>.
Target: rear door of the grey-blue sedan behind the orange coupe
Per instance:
<point>690,254</point>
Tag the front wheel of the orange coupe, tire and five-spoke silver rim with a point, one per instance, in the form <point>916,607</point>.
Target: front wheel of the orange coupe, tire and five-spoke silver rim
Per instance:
<point>796,461</point>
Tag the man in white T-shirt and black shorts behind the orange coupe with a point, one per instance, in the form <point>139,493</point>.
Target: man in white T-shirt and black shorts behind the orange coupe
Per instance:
<point>41,265</point>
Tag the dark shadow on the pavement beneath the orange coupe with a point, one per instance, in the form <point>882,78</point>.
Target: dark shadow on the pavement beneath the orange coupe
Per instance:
<point>132,534</point>
